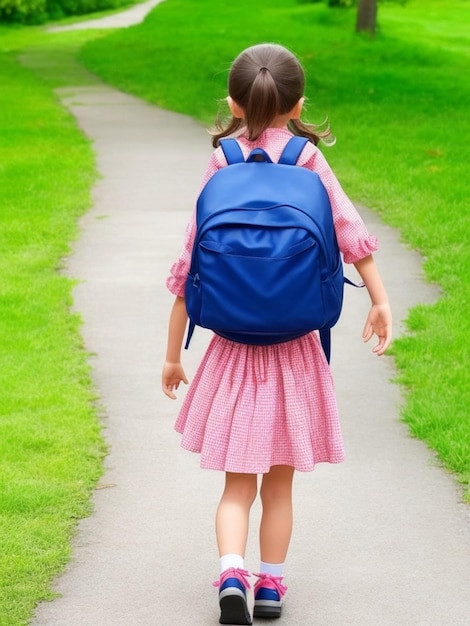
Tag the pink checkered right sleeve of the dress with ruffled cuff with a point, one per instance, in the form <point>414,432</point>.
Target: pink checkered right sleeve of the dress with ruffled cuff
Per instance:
<point>354,240</point>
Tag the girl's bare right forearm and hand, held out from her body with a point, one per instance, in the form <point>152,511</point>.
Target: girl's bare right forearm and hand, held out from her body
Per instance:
<point>379,320</point>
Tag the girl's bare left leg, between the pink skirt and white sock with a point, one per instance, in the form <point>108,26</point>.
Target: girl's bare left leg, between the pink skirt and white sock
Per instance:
<point>232,518</point>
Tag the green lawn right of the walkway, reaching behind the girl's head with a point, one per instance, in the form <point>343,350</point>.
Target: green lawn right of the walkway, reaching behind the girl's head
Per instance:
<point>398,105</point>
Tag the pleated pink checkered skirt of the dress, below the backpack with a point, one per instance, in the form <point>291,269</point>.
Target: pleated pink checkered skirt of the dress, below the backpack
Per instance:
<point>252,407</point>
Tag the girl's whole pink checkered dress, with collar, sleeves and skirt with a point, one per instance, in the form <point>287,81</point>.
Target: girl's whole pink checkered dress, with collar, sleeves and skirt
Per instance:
<point>252,407</point>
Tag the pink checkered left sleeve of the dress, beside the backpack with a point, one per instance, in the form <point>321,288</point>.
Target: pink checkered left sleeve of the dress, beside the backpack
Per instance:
<point>176,282</point>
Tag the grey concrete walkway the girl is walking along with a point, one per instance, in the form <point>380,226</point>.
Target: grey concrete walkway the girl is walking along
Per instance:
<point>379,540</point>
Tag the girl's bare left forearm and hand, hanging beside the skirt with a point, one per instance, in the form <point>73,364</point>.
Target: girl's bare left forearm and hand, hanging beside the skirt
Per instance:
<point>173,372</point>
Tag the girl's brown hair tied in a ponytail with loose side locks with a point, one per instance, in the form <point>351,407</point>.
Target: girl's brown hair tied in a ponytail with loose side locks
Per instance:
<point>266,80</point>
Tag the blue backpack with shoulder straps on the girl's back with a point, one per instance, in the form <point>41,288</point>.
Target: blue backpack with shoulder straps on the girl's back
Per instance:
<point>265,266</point>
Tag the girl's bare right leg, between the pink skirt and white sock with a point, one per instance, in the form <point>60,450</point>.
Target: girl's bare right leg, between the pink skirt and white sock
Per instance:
<point>276,521</point>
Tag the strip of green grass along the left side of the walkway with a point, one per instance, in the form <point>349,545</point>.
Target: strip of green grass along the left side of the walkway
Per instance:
<point>51,447</point>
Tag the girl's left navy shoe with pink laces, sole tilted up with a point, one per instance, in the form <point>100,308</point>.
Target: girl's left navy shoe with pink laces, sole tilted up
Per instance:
<point>232,586</point>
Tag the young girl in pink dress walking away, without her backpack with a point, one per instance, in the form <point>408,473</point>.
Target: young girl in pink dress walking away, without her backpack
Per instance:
<point>266,410</point>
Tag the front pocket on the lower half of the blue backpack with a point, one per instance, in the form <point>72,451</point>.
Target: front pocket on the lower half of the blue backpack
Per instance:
<point>250,294</point>
